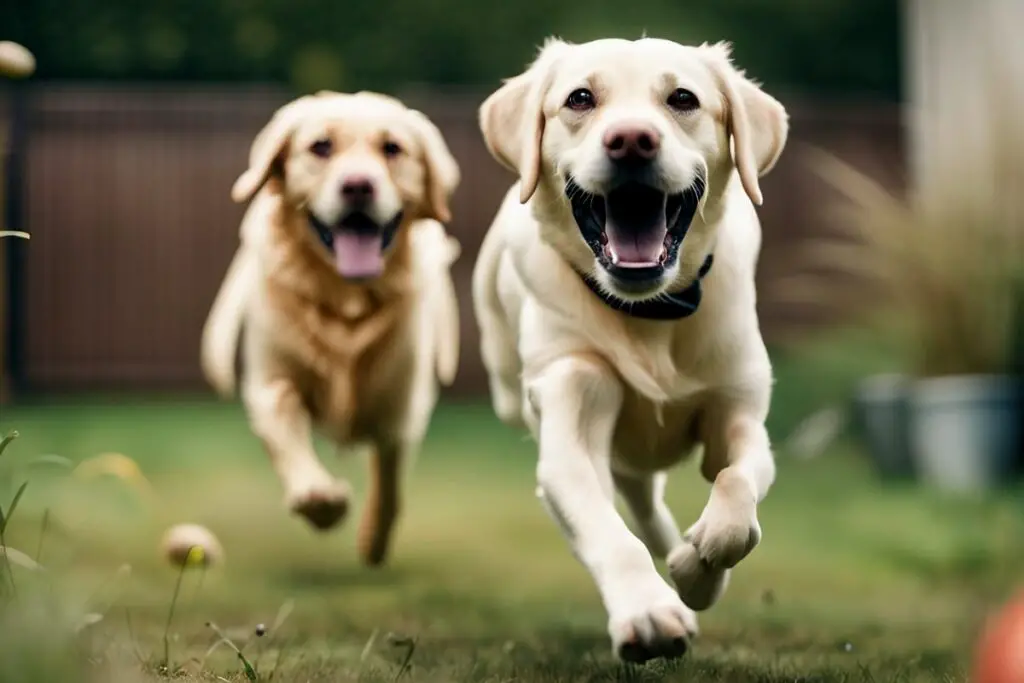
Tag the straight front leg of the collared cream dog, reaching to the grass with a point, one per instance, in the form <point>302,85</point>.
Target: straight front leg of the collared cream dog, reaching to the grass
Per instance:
<point>574,407</point>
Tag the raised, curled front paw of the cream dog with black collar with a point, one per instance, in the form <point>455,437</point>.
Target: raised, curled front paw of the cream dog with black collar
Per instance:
<point>727,533</point>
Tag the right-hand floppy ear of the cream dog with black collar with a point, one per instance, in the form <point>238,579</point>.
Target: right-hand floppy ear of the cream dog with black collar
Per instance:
<point>758,123</point>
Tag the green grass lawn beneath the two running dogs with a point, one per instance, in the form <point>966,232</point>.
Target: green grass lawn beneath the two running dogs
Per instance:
<point>854,581</point>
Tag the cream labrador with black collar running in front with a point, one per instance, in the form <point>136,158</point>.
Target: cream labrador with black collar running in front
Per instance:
<point>615,294</point>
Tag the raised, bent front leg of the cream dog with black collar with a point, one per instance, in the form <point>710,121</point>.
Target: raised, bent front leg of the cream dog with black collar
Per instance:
<point>739,462</point>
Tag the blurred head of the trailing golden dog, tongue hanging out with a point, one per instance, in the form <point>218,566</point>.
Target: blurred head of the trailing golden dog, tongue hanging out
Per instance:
<point>357,167</point>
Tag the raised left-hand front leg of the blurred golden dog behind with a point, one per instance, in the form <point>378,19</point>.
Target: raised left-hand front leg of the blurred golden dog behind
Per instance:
<point>280,418</point>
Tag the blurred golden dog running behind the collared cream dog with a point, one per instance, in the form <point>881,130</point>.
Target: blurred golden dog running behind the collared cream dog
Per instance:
<point>340,297</point>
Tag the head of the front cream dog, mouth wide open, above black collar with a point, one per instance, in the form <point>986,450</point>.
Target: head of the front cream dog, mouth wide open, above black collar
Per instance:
<point>623,145</point>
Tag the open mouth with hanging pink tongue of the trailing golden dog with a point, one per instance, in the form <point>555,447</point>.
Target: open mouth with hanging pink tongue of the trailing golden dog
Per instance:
<point>358,243</point>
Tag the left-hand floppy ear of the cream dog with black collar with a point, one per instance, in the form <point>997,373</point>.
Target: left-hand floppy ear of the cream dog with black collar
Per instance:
<point>513,118</point>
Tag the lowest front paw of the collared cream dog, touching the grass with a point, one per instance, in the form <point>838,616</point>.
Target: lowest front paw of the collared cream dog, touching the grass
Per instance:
<point>660,626</point>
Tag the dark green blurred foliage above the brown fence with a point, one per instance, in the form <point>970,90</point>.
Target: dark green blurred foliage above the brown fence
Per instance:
<point>828,47</point>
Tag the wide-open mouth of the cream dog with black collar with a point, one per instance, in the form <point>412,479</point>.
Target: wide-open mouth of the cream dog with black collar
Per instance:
<point>635,231</point>
